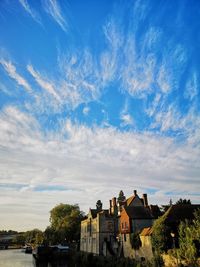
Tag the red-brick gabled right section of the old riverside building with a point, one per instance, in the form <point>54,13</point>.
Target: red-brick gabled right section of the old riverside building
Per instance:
<point>136,215</point>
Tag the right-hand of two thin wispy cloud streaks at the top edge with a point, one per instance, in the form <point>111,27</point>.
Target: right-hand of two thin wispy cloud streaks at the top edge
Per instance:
<point>53,9</point>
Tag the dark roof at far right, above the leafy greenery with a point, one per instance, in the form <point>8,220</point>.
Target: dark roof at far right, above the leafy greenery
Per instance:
<point>180,212</point>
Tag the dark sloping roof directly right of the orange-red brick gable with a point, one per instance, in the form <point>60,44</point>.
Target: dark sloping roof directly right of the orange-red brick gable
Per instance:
<point>138,212</point>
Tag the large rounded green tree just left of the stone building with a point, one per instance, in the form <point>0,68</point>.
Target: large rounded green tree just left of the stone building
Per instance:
<point>65,221</point>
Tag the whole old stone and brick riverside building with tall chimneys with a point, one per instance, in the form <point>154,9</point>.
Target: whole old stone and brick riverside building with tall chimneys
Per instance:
<point>108,232</point>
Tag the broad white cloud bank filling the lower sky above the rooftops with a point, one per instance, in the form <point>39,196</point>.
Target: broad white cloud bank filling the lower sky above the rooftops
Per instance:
<point>87,161</point>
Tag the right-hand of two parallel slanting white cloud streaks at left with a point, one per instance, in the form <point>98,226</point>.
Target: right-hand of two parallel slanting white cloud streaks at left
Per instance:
<point>46,85</point>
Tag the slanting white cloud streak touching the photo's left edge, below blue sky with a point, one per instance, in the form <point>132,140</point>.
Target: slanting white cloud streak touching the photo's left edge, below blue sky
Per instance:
<point>11,70</point>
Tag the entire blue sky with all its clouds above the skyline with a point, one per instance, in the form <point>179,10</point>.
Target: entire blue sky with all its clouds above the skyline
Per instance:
<point>97,96</point>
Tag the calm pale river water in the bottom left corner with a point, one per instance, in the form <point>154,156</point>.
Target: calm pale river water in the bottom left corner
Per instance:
<point>16,258</point>
